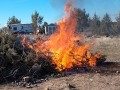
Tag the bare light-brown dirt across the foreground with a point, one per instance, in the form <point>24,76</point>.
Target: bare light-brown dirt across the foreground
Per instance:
<point>77,82</point>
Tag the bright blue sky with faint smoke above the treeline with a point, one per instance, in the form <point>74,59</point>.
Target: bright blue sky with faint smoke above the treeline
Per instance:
<point>52,10</point>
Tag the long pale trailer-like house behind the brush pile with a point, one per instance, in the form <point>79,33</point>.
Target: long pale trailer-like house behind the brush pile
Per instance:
<point>21,28</point>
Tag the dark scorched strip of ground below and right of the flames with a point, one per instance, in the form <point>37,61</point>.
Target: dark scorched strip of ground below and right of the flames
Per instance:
<point>104,68</point>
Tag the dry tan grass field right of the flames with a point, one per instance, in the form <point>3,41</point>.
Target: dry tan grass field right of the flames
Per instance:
<point>107,46</point>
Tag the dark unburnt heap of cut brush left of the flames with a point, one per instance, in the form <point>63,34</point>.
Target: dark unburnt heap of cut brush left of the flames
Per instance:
<point>17,61</point>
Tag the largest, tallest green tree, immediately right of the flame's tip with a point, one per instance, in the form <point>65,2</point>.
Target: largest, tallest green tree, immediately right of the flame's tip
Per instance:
<point>82,19</point>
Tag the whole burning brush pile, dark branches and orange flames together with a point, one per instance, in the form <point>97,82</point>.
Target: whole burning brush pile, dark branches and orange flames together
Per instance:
<point>64,50</point>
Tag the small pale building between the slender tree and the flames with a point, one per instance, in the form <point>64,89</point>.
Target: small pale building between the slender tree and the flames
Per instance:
<point>50,29</point>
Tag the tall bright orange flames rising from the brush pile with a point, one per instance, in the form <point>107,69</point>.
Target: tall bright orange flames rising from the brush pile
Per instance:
<point>65,45</point>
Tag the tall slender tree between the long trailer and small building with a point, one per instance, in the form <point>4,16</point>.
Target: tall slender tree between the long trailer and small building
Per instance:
<point>36,21</point>
